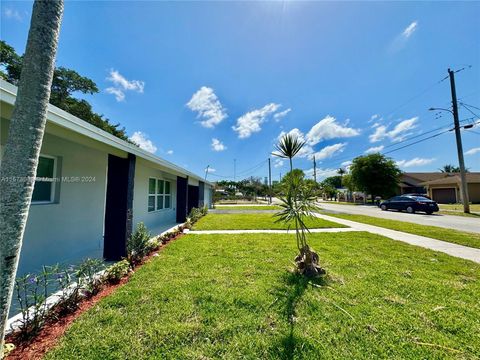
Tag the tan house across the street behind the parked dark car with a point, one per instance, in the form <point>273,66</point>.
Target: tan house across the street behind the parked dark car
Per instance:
<point>441,187</point>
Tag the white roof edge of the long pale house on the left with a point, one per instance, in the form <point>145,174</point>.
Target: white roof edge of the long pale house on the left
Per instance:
<point>64,119</point>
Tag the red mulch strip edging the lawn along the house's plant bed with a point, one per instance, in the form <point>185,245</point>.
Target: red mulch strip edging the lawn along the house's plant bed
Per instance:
<point>53,331</point>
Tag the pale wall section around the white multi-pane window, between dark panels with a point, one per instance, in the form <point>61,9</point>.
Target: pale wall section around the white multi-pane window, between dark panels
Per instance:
<point>155,221</point>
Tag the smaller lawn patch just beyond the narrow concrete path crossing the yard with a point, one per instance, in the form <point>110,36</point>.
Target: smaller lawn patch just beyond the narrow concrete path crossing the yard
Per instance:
<point>253,221</point>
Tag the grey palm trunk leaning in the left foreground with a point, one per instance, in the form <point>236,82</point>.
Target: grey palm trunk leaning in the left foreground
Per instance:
<point>25,135</point>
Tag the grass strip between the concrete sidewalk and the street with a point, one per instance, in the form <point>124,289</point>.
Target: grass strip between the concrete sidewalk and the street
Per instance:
<point>435,232</point>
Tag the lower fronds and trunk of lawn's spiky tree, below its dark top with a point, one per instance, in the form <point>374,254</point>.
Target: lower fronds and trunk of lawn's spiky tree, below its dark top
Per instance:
<point>297,205</point>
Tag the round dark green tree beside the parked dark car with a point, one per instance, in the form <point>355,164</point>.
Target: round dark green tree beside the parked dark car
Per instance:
<point>375,174</point>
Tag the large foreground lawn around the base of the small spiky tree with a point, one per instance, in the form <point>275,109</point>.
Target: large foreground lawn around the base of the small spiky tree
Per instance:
<point>231,297</point>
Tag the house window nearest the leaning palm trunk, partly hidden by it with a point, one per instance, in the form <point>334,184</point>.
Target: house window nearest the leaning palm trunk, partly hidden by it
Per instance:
<point>44,189</point>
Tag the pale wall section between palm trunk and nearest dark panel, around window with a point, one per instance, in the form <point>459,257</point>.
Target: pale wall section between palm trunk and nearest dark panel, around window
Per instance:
<point>71,228</point>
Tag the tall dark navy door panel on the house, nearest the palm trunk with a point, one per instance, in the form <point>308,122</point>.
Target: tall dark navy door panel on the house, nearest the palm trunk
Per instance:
<point>118,206</point>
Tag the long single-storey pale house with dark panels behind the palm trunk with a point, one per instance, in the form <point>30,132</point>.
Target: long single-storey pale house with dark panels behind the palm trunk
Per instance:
<point>93,188</point>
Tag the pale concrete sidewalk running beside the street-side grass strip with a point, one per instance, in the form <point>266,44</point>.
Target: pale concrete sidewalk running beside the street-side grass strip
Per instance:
<point>460,251</point>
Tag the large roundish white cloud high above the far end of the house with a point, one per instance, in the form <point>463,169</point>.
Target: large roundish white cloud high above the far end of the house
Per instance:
<point>208,107</point>
